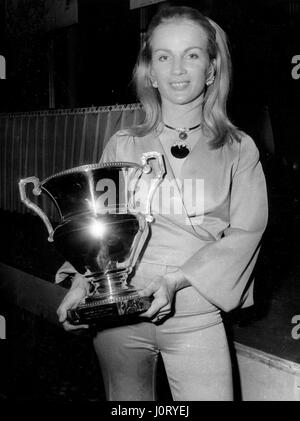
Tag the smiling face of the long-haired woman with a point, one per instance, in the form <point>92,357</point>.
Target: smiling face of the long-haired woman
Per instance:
<point>180,62</point>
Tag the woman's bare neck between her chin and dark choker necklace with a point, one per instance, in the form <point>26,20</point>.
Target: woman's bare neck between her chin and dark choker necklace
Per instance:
<point>187,115</point>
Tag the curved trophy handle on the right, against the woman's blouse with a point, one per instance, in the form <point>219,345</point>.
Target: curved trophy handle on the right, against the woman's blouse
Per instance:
<point>156,180</point>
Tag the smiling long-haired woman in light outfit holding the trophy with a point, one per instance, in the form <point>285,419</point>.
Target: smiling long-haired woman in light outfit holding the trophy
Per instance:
<point>198,261</point>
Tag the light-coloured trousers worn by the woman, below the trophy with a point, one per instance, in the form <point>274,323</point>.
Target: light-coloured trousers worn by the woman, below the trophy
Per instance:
<point>196,360</point>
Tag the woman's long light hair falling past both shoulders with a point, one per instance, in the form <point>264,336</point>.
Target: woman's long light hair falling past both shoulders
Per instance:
<point>215,119</point>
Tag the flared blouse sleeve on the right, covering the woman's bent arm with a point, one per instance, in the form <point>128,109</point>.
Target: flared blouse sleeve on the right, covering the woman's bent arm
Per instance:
<point>221,270</point>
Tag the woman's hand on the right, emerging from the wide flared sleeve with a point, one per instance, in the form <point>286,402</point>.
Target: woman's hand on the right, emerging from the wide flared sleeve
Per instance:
<point>163,289</point>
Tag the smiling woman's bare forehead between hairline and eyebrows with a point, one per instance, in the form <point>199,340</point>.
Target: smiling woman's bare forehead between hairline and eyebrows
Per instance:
<point>178,34</point>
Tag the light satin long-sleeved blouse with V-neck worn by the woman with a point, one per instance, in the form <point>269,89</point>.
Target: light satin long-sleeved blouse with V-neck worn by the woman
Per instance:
<point>216,241</point>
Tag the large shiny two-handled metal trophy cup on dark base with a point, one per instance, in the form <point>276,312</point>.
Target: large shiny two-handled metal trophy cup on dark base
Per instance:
<point>102,229</point>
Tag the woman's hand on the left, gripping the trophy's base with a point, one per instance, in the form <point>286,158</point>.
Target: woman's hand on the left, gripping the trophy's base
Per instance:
<point>72,299</point>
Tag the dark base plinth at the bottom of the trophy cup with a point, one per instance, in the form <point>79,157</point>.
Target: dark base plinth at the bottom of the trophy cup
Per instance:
<point>100,309</point>
